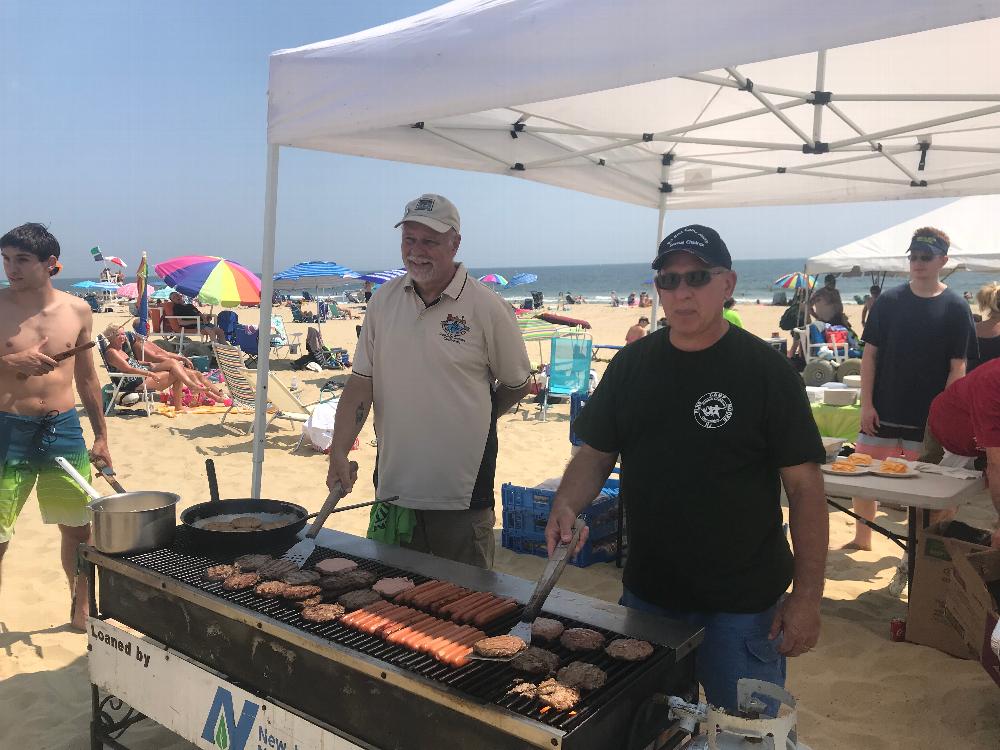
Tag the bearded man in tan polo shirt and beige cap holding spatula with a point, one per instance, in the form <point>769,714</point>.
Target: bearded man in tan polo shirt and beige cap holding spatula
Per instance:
<point>439,357</point>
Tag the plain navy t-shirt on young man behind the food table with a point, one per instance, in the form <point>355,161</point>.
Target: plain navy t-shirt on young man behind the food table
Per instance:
<point>917,337</point>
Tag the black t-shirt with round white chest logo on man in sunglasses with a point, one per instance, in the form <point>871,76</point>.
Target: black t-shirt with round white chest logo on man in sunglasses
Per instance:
<point>702,436</point>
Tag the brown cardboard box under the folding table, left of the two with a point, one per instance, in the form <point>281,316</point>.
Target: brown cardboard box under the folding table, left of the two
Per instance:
<point>928,622</point>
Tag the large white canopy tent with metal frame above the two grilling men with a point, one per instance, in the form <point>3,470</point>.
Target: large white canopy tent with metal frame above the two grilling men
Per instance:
<point>658,102</point>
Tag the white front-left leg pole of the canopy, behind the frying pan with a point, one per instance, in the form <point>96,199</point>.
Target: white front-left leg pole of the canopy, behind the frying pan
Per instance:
<point>264,327</point>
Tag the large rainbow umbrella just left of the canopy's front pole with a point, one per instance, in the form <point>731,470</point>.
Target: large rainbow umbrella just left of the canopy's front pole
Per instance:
<point>214,280</point>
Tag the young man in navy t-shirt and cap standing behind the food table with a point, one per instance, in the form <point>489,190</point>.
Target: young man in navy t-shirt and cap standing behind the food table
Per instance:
<point>917,338</point>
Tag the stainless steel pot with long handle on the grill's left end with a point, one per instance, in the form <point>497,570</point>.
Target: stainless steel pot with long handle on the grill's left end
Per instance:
<point>128,522</point>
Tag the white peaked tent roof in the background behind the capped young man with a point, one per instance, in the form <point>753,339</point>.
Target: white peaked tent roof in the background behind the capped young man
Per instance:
<point>973,224</point>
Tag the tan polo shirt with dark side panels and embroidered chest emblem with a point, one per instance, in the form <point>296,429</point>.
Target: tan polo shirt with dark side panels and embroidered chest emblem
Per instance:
<point>432,370</point>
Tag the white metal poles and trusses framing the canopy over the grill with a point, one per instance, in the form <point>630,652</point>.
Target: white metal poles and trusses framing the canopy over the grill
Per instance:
<point>623,150</point>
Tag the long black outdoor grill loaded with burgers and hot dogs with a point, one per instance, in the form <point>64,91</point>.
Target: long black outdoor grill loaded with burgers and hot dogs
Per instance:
<point>382,695</point>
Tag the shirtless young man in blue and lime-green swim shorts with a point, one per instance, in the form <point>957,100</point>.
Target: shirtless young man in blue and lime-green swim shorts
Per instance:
<point>38,418</point>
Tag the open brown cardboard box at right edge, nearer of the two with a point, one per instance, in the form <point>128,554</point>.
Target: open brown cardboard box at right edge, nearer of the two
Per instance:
<point>973,606</point>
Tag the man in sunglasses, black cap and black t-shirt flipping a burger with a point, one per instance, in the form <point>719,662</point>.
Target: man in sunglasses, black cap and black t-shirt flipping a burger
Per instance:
<point>709,421</point>
